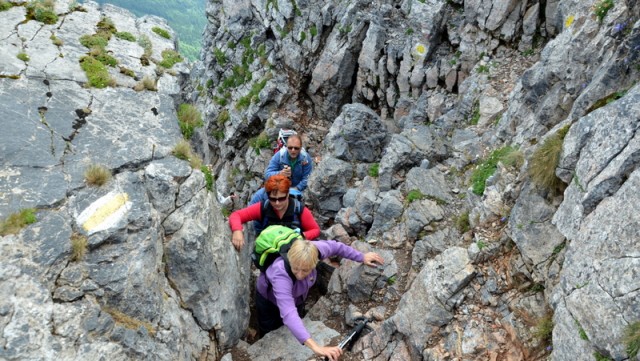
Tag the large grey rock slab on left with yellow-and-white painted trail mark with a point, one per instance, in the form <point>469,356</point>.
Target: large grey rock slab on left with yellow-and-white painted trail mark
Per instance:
<point>152,283</point>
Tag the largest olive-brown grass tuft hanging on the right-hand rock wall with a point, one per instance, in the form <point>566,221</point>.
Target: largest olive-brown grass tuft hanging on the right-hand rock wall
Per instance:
<point>545,159</point>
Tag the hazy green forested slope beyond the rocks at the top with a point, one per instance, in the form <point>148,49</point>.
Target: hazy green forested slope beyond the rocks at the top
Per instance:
<point>186,17</point>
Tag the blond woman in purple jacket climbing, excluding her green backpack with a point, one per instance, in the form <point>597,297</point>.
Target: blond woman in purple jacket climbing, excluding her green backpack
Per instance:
<point>279,298</point>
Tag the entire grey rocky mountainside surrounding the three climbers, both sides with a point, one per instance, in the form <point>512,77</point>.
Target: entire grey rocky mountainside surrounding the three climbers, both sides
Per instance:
<point>426,121</point>
